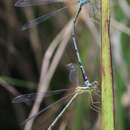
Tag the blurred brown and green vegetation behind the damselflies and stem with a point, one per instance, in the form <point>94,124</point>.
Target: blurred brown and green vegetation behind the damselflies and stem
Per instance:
<point>25,64</point>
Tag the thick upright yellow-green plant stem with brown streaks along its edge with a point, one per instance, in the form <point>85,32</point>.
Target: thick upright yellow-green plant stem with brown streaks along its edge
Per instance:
<point>107,115</point>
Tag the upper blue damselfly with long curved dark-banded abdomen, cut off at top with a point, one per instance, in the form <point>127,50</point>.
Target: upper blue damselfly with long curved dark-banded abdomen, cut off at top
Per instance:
<point>24,3</point>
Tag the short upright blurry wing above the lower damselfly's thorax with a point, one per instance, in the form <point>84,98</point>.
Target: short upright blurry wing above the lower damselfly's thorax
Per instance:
<point>73,73</point>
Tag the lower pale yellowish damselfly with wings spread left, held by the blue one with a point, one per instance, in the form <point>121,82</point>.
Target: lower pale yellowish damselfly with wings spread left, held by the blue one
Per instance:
<point>80,89</point>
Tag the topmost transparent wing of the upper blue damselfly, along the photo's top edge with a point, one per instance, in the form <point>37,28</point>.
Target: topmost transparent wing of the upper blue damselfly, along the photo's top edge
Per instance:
<point>25,3</point>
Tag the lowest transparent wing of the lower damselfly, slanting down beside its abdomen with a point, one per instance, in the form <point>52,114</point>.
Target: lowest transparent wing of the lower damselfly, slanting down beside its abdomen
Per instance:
<point>48,107</point>
